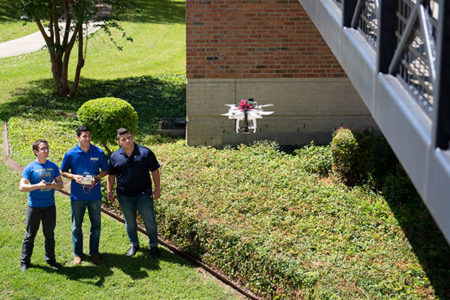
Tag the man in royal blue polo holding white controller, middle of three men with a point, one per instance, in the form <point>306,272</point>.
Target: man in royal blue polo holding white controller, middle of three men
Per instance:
<point>82,164</point>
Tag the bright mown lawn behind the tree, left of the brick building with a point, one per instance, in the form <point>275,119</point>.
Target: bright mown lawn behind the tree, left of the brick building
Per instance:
<point>159,47</point>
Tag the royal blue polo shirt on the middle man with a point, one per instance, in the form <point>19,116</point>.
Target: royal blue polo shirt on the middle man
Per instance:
<point>84,163</point>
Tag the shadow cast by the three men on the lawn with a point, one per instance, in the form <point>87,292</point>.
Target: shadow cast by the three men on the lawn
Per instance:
<point>135,267</point>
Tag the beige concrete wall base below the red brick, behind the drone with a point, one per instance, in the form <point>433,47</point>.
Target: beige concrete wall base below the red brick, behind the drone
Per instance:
<point>305,109</point>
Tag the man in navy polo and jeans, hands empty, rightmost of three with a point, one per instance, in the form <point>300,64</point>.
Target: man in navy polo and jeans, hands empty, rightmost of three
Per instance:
<point>132,165</point>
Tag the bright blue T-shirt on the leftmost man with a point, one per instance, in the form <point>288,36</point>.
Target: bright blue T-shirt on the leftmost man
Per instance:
<point>35,173</point>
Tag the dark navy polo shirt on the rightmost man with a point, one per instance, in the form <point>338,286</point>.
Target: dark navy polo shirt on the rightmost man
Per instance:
<point>133,173</point>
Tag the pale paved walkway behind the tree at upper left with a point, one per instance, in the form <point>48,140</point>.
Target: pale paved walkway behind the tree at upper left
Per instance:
<point>35,41</point>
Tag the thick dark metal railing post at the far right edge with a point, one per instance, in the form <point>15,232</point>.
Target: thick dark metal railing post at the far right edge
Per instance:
<point>441,113</point>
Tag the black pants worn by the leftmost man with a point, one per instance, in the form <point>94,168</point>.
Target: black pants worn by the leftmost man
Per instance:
<point>34,217</point>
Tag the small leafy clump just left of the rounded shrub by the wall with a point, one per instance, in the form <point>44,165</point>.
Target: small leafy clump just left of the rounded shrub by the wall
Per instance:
<point>315,159</point>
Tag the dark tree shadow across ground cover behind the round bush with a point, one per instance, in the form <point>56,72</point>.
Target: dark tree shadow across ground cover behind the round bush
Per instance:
<point>153,97</point>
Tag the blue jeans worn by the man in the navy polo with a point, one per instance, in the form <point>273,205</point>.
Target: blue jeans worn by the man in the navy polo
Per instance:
<point>144,204</point>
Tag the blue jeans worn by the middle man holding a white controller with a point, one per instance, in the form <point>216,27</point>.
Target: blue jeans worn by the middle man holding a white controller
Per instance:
<point>78,209</point>
